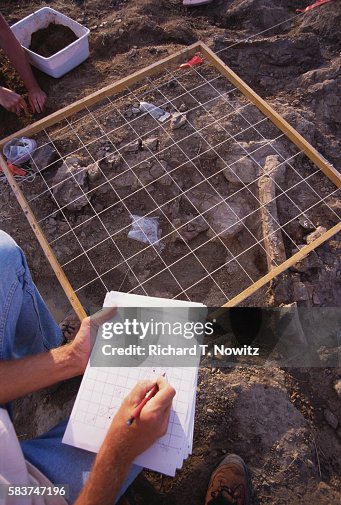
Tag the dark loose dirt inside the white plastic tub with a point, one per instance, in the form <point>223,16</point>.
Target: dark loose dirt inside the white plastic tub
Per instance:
<point>50,40</point>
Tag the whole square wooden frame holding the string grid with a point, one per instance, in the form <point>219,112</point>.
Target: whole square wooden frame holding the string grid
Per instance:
<point>175,59</point>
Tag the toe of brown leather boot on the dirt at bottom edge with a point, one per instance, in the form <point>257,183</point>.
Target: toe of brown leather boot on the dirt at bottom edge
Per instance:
<point>230,483</point>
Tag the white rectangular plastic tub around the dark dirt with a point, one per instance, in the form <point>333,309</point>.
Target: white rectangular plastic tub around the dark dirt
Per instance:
<point>65,60</point>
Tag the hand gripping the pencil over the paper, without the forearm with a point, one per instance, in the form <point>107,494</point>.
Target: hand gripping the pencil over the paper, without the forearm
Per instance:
<point>151,424</point>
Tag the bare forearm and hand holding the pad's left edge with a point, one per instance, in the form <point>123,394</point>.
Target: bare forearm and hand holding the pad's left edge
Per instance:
<point>19,377</point>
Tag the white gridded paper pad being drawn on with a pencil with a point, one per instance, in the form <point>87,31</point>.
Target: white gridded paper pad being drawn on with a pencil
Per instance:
<point>103,389</point>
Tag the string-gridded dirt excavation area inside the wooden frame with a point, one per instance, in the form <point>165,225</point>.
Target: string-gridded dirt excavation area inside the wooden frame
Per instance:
<point>201,181</point>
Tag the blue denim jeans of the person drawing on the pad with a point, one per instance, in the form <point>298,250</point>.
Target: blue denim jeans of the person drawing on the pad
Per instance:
<point>27,328</point>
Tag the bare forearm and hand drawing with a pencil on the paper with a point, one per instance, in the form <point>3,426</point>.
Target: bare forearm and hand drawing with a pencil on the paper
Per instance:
<point>123,443</point>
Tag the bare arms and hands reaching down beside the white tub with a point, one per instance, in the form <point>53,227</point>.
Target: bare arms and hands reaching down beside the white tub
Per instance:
<point>17,56</point>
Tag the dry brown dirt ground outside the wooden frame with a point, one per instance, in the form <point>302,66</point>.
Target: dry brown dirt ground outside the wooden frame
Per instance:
<point>274,418</point>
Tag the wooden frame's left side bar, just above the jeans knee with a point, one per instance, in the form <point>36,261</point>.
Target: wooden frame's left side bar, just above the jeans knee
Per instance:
<point>76,305</point>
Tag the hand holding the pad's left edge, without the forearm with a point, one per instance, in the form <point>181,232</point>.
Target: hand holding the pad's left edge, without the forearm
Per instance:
<point>83,342</point>
